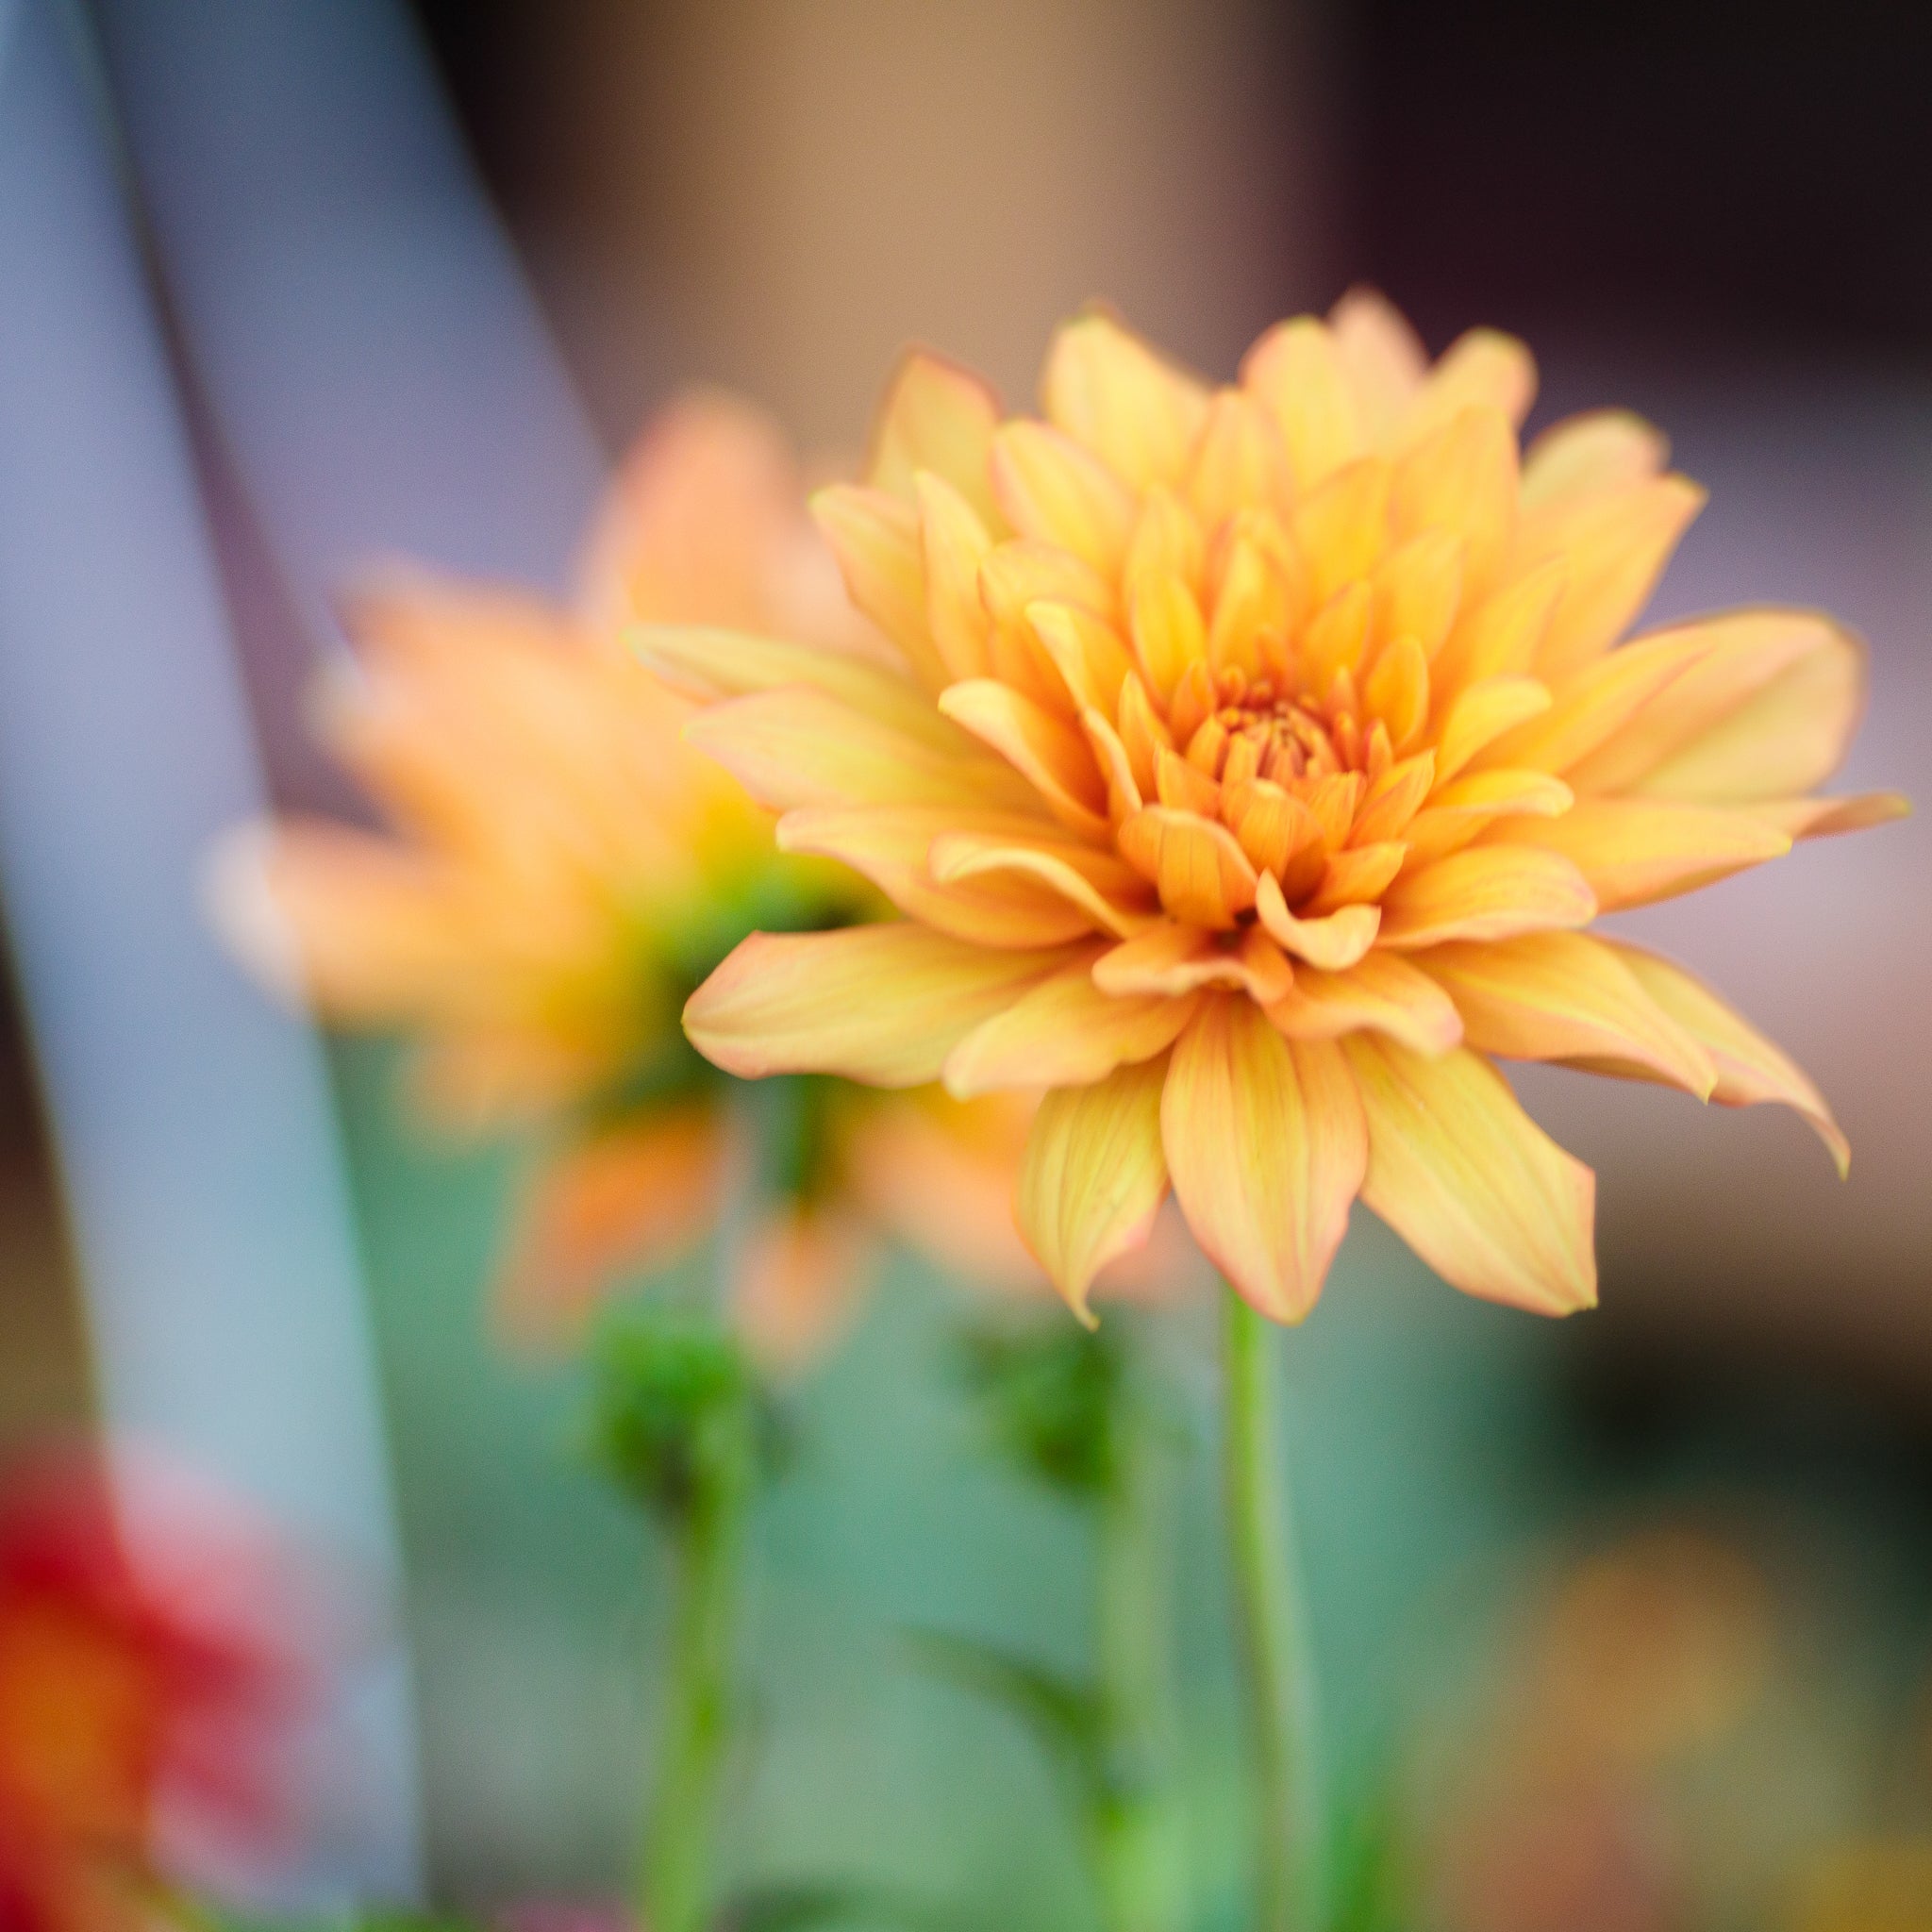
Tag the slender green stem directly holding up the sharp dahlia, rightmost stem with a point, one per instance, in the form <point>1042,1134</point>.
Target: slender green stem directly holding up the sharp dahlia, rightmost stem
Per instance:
<point>1272,1634</point>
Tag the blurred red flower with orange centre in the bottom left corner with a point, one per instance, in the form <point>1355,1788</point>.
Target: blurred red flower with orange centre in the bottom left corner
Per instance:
<point>125,1684</point>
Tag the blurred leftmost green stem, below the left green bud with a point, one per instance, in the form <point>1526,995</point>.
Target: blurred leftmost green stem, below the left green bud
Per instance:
<point>679,1856</point>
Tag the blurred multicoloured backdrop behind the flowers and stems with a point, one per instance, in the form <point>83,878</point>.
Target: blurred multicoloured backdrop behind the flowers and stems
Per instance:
<point>376,279</point>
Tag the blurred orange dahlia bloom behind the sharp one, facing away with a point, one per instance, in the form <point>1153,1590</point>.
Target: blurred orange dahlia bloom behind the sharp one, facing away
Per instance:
<point>565,870</point>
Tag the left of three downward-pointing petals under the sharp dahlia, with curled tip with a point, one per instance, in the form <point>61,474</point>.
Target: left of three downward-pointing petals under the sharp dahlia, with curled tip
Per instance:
<point>1093,1178</point>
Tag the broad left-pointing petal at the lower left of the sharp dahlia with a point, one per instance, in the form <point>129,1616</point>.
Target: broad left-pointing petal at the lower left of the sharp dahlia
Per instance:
<point>876,1004</point>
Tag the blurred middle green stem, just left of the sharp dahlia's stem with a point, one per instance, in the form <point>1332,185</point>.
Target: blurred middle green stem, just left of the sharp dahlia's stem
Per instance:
<point>1137,1829</point>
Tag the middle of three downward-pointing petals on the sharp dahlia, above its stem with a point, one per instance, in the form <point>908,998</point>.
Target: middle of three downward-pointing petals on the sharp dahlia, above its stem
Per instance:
<point>1266,1151</point>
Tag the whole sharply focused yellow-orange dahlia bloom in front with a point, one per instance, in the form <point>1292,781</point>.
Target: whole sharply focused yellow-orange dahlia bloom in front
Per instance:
<point>1255,766</point>
